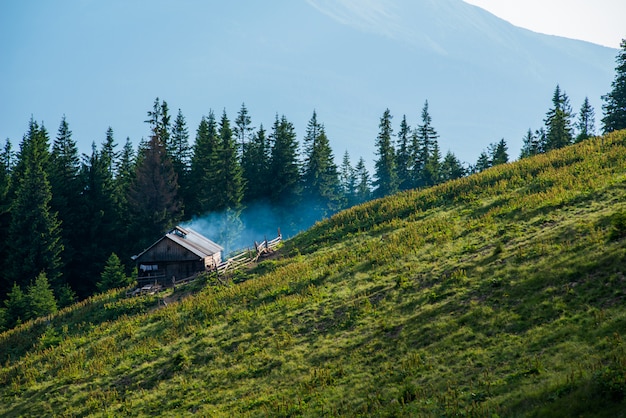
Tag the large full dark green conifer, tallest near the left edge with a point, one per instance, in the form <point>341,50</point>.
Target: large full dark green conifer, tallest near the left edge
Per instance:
<point>34,230</point>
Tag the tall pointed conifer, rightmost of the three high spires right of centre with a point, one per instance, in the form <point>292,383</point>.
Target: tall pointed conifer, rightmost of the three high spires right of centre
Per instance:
<point>424,140</point>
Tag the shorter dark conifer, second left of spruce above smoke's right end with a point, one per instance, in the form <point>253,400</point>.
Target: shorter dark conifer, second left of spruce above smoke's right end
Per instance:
<point>255,165</point>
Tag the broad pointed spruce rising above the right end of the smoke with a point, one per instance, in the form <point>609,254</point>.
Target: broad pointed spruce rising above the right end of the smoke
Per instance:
<point>320,177</point>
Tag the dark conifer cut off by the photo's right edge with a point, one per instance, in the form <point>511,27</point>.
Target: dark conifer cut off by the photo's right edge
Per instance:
<point>614,107</point>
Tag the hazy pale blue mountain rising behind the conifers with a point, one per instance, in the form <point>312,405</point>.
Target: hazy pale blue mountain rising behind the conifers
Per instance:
<point>348,59</point>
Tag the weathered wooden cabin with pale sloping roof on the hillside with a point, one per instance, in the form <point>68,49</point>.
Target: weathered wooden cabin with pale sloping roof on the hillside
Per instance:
<point>179,254</point>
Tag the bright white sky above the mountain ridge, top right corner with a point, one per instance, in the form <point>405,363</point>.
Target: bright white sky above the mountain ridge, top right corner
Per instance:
<point>598,21</point>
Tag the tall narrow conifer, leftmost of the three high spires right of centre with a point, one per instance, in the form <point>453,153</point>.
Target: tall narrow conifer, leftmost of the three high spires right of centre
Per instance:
<point>386,176</point>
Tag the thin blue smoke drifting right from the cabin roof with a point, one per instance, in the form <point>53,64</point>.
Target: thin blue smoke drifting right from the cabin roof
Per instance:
<point>257,222</point>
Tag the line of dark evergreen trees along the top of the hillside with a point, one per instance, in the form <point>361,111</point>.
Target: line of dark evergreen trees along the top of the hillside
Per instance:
<point>67,217</point>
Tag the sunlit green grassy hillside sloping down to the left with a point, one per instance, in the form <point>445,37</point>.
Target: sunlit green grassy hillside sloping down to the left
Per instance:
<point>500,294</point>
